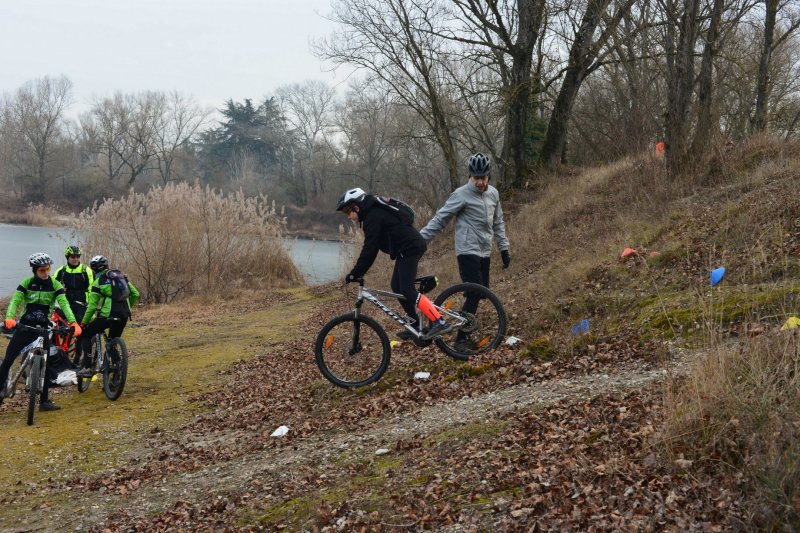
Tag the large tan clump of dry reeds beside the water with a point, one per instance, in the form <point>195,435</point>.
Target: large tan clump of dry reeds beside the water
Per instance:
<point>184,239</point>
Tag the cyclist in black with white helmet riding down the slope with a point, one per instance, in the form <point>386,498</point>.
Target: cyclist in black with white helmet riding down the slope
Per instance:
<point>387,232</point>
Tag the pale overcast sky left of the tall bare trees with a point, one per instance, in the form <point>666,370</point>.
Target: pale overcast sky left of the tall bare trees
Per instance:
<point>212,50</point>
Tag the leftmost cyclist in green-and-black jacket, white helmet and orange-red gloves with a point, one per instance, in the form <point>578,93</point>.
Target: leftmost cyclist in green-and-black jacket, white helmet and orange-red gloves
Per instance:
<point>38,295</point>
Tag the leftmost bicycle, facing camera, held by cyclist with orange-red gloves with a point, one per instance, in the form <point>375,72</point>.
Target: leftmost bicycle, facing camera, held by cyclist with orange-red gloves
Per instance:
<point>31,365</point>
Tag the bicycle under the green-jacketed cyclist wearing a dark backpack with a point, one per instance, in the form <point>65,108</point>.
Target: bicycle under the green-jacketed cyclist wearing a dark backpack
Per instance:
<point>109,357</point>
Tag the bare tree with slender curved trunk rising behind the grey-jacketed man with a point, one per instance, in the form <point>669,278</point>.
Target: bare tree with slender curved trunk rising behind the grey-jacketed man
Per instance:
<point>397,42</point>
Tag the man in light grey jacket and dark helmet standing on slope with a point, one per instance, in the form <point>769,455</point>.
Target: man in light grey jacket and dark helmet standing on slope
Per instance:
<point>479,219</point>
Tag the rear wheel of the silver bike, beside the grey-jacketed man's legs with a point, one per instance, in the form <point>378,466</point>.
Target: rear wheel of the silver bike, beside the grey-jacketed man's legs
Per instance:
<point>484,320</point>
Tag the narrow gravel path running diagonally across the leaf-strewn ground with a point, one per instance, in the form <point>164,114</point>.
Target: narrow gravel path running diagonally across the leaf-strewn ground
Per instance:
<point>89,508</point>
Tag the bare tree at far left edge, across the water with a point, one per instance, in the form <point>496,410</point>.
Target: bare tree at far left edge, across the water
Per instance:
<point>33,125</point>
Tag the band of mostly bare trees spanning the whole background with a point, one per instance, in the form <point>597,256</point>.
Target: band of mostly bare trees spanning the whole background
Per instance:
<point>534,84</point>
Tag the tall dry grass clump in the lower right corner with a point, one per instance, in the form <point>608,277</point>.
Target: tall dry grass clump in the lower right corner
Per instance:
<point>740,408</point>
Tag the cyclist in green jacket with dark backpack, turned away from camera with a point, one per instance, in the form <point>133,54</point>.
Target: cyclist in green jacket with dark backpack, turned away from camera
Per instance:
<point>103,304</point>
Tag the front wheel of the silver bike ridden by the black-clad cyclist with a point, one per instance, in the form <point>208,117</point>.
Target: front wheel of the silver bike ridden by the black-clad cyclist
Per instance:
<point>352,352</point>
